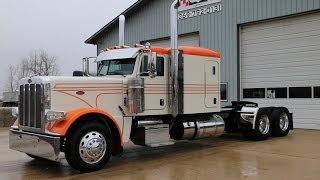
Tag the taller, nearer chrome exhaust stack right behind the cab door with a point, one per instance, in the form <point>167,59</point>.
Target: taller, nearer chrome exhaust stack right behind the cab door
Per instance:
<point>174,58</point>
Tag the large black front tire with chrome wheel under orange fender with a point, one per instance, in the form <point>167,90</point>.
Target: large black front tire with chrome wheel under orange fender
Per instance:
<point>78,152</point>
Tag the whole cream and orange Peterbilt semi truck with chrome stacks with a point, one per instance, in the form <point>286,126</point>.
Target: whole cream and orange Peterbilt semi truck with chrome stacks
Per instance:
<point>137,91</point>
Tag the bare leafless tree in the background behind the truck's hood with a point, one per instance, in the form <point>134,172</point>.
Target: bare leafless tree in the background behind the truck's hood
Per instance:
<point>37,63</point>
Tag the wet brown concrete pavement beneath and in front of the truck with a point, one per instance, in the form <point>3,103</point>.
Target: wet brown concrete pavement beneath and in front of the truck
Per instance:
<point>296,156</point>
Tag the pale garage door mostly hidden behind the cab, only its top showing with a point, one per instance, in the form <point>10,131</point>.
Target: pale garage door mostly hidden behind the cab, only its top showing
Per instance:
<point>184,40</point>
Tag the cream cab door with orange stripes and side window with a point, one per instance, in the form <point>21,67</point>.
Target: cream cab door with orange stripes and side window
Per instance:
<point>156,89</point>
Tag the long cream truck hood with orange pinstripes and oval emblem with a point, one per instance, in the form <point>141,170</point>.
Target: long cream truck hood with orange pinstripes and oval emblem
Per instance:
<point>70,93</point>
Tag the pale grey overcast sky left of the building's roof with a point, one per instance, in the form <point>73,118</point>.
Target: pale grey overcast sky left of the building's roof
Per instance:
<point>58,26</point>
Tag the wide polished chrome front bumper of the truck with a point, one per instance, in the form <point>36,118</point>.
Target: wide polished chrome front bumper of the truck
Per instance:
<point>44,146</point>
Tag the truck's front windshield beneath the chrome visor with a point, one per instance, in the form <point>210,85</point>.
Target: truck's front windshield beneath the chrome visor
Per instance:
<point>116,67</point>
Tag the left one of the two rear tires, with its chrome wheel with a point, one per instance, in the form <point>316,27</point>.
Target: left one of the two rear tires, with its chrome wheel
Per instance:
<point>263,126</point>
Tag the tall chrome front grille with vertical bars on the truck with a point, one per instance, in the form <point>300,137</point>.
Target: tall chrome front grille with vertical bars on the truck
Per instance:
<point>31,108</point>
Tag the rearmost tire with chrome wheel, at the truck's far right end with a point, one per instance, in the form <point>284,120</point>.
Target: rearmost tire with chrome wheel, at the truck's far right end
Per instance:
<point>281,122</point>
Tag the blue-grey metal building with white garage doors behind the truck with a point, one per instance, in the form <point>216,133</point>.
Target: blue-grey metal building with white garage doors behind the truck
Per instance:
<point>270,48</point>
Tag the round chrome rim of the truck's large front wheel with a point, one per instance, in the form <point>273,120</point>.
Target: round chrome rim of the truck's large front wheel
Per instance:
<point>92,147</point>
